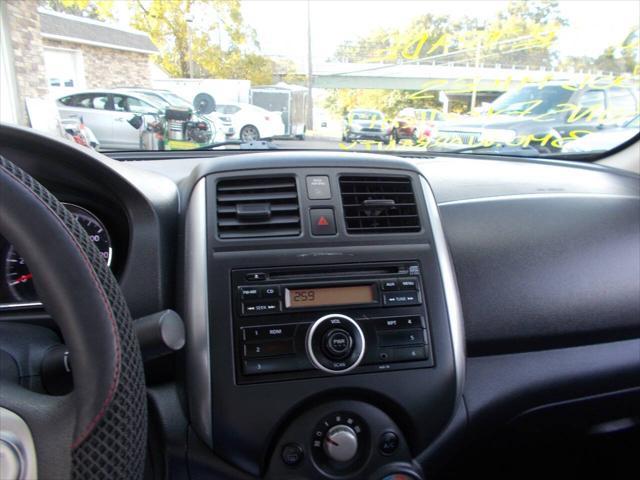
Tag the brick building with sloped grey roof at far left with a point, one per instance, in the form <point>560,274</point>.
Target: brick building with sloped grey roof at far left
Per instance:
<point>47,54</point>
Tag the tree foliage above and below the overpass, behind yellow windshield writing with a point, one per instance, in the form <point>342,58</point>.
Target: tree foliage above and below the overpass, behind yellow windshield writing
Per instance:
<point>521,34</point>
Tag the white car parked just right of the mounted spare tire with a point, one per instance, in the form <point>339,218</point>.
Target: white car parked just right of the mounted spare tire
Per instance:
<point>251,122</point>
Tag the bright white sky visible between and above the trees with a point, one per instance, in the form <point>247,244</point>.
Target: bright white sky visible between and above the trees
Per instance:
<point>281,25</point>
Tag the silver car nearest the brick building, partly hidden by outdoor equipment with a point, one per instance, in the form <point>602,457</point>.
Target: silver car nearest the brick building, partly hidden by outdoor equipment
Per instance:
<point>107,114</point>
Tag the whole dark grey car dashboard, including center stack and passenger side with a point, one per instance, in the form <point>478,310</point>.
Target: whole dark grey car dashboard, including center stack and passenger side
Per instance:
<point>354,315</point>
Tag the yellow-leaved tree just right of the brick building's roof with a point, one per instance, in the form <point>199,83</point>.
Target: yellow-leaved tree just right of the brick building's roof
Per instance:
<point>210,35</point>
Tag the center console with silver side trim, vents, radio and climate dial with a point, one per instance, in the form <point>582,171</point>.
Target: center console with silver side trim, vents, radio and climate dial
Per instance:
<point>323,324</point>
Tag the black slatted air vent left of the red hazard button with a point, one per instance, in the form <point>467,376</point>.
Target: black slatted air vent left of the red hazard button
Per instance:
<point>258,207</point>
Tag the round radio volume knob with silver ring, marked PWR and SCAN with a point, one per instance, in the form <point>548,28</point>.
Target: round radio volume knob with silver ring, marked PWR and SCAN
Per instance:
<point>335,343</point>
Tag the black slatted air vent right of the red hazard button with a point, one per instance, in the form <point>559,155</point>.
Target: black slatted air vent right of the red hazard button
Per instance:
<point>379,204</point>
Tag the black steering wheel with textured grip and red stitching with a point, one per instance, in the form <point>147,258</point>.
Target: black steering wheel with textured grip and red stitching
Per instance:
<point>99,431</point>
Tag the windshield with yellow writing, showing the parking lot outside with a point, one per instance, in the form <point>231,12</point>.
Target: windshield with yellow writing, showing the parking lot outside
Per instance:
<point>527,78</point>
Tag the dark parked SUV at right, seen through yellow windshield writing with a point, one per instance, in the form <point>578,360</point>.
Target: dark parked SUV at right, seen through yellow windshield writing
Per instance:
<point>546,115</point>
